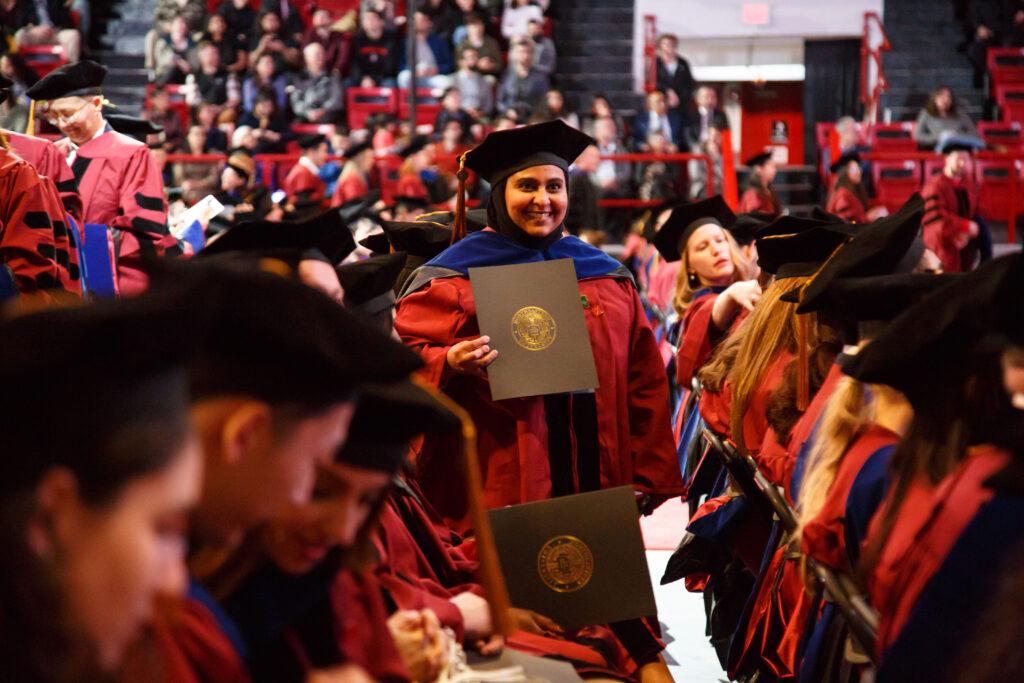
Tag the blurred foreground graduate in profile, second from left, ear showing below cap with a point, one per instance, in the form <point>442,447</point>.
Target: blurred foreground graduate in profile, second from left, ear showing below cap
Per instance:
<point>273,394</point>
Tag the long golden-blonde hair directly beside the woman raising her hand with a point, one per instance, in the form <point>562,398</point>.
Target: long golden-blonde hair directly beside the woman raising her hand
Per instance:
<point>744,358</point>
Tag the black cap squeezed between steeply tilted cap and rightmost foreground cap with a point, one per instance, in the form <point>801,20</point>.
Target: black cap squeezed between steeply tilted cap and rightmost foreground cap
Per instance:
<point>847,302</point>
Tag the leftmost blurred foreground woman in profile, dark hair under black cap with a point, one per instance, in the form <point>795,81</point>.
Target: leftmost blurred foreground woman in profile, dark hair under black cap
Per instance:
<point>95,508</point>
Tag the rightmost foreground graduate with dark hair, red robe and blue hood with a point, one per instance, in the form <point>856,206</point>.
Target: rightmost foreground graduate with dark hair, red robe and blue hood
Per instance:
<point>932,554</point>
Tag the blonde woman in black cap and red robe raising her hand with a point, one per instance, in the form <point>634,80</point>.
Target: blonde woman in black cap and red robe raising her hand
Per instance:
<point>714,284</point>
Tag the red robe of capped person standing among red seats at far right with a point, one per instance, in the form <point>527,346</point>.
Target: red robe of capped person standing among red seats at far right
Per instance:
<point>944,221</point>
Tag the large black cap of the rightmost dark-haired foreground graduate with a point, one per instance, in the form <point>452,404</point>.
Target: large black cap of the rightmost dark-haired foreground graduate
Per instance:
<point>921,348</point>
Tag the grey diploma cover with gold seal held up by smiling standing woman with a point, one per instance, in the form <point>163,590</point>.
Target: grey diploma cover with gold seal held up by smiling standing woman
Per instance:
<point>535,317</point>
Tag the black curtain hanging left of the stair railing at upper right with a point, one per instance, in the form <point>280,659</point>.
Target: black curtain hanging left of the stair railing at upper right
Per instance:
<point>832,87</point>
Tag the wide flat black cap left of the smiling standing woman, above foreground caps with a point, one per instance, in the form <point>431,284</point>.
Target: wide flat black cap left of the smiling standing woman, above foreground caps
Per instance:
<point>327,234</point>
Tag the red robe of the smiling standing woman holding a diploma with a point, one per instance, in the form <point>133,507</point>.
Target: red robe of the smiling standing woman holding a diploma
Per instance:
<point>633,421</point>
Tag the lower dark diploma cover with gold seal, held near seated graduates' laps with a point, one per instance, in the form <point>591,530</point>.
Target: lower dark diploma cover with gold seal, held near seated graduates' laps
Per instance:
<point>578,560</point>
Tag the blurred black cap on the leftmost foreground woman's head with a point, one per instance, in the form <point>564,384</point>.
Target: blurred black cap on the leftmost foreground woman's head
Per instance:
<point>86,376</point>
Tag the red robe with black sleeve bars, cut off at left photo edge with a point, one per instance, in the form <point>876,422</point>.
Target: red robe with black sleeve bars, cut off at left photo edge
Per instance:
<point>28,205</point>
